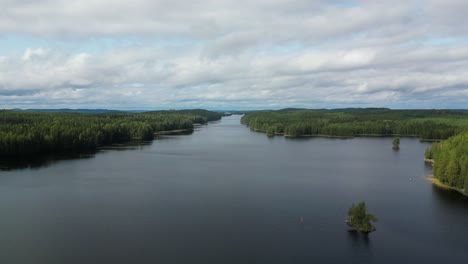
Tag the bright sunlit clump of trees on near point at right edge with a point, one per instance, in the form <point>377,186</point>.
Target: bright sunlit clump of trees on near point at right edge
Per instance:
<point>450,158</point>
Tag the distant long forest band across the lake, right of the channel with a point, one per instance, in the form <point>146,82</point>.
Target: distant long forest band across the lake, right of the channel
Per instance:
<point>425,124</point>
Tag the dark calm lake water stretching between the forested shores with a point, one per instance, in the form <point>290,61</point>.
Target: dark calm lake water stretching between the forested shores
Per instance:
<point>228,195</point>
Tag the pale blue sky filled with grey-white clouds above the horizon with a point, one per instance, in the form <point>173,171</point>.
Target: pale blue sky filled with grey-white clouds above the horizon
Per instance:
<point>233,54</point>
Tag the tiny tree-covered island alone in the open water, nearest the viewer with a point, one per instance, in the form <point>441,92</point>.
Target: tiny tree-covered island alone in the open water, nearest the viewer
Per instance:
<point>359,219</point>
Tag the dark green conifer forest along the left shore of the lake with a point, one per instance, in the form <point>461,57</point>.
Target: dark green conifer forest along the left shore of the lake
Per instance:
<point>34,133</point>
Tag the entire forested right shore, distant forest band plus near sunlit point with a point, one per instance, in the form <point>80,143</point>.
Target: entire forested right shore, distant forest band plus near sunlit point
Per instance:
<point>449,157</point>
